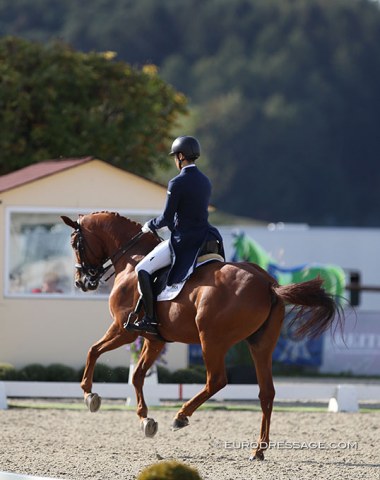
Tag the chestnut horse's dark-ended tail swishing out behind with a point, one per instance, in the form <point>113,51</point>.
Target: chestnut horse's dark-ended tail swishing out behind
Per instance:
<point>311,301</point>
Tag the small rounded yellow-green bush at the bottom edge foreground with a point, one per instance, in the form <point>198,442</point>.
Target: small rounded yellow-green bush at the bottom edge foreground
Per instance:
<point>169,470</point>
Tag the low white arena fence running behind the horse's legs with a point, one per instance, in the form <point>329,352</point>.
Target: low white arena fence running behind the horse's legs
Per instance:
<point>345,395</point>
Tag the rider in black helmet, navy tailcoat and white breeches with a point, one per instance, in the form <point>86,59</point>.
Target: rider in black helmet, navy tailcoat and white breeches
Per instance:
<point>186,216</point>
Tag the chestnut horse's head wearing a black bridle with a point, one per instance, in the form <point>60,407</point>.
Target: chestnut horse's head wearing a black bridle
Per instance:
<point>90,261</point>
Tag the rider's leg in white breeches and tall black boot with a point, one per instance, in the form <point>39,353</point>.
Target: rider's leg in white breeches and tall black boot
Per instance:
<point>158,258</point>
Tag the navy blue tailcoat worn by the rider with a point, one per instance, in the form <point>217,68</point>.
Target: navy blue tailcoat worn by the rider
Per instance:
<point>186,216</point>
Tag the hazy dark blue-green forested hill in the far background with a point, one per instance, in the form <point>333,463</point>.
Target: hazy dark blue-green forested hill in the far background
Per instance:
<point>284,95</point>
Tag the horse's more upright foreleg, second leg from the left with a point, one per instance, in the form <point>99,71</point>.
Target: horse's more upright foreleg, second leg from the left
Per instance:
<point>150,352</point>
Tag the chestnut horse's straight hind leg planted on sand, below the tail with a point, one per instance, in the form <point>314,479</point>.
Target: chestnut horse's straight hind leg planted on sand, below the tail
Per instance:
<point>261,345</point>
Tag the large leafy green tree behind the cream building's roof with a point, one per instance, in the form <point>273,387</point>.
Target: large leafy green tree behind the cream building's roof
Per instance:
<point>56,102</point>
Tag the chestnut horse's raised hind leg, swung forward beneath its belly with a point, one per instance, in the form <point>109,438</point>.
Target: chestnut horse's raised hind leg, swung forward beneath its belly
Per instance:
<point>216,380</point>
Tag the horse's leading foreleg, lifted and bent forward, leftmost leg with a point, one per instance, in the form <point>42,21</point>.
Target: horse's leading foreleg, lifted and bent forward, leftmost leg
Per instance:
<point>112,339</point>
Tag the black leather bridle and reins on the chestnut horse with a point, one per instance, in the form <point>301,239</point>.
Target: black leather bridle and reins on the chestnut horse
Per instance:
<point>94,273</point>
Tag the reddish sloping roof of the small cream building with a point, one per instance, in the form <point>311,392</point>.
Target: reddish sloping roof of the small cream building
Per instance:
<point>37,171</point>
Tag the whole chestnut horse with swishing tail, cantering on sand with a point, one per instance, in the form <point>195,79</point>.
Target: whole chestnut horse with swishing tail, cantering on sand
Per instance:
<point>220,305</point>
